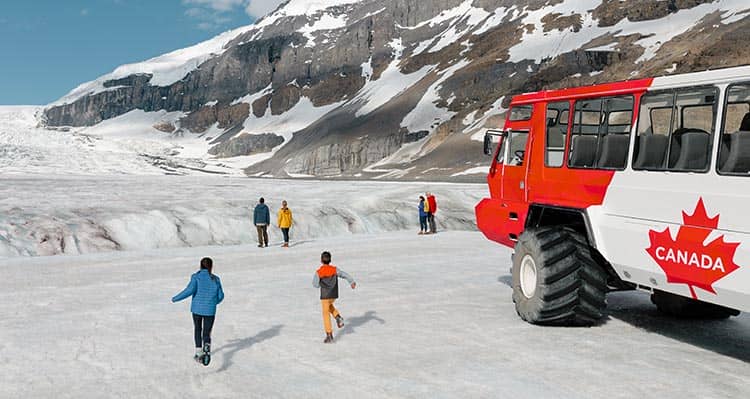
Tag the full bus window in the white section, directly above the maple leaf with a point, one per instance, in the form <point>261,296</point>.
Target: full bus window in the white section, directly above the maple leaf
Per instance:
<point>675,129</point>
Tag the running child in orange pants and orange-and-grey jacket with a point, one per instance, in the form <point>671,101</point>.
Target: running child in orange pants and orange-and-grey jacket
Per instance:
<point>326,278</point>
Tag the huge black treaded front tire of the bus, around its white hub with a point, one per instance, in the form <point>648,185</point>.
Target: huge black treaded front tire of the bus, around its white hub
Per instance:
<point>570,286</point>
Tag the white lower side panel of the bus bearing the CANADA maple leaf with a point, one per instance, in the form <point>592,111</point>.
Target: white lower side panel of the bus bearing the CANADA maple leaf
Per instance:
<point>640,206</point>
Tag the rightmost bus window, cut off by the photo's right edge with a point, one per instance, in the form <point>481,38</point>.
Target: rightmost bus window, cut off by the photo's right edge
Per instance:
<point>734,151</point>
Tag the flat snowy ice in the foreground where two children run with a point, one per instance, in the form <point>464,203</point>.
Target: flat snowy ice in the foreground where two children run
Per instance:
<point>431,318</point>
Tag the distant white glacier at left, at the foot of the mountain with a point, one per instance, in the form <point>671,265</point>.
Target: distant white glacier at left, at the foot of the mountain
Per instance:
<point>131,144</point>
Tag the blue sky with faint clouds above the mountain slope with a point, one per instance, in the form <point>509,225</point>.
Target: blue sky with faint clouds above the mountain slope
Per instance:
<point>48,47</point>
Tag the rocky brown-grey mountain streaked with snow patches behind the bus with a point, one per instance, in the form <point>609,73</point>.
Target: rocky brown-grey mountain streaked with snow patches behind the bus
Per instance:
<point>398,89</point>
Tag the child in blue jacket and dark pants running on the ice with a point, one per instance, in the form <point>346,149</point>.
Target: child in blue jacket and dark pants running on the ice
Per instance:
<point>205,289</point>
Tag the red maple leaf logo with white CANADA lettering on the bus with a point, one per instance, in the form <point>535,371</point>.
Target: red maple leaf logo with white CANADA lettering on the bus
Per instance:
<point>686,260</point>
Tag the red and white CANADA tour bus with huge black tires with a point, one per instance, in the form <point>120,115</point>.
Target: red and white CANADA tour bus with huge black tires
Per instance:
<point>637,184</point>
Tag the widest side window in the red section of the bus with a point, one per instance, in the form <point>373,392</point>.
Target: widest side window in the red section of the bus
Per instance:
<point>600,137</point>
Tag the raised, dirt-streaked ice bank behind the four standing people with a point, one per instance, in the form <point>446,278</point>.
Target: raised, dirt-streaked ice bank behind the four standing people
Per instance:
<point>84,214</point>
